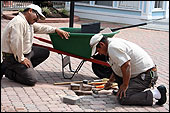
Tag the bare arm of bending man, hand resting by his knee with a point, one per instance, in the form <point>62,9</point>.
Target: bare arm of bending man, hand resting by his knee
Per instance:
<point>126,71</point>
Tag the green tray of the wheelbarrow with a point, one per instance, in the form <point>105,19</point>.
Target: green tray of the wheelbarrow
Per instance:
<point>77,44</point>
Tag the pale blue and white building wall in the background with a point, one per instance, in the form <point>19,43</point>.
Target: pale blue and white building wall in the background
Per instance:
<point>117,14</point>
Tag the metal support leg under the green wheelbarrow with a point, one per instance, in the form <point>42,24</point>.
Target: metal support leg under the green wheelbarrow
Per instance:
<point>65,62</point>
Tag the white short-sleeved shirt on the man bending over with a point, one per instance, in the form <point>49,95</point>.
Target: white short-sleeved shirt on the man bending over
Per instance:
<point>120,51</point>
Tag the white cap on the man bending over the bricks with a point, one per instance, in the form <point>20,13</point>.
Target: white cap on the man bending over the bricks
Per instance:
<point>94,41</point>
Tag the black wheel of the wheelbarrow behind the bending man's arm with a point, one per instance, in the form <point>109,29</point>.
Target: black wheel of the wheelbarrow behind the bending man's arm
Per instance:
<point>100,70</point>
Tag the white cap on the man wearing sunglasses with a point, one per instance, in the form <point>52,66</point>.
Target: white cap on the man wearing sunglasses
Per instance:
<point>38,9</point>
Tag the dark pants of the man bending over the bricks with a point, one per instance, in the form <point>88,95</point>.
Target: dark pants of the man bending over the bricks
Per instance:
<point>135,94</point>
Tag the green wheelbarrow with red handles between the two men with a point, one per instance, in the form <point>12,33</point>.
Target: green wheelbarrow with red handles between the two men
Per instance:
<point>76,46</point>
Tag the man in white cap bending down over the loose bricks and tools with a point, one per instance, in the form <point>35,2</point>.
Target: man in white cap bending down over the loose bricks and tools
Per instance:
<point>133,70</point>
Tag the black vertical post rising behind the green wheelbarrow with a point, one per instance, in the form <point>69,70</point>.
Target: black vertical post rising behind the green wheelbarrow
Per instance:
<point>71,14</point>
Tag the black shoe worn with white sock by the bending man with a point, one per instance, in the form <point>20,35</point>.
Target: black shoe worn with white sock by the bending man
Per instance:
<point>162,90</point>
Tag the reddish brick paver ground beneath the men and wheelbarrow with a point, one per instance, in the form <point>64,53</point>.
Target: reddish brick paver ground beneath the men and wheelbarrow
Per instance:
<point>44,96</point>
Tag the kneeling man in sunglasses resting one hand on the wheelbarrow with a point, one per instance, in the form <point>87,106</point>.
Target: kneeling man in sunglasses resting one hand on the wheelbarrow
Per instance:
<point>20,56</point>
